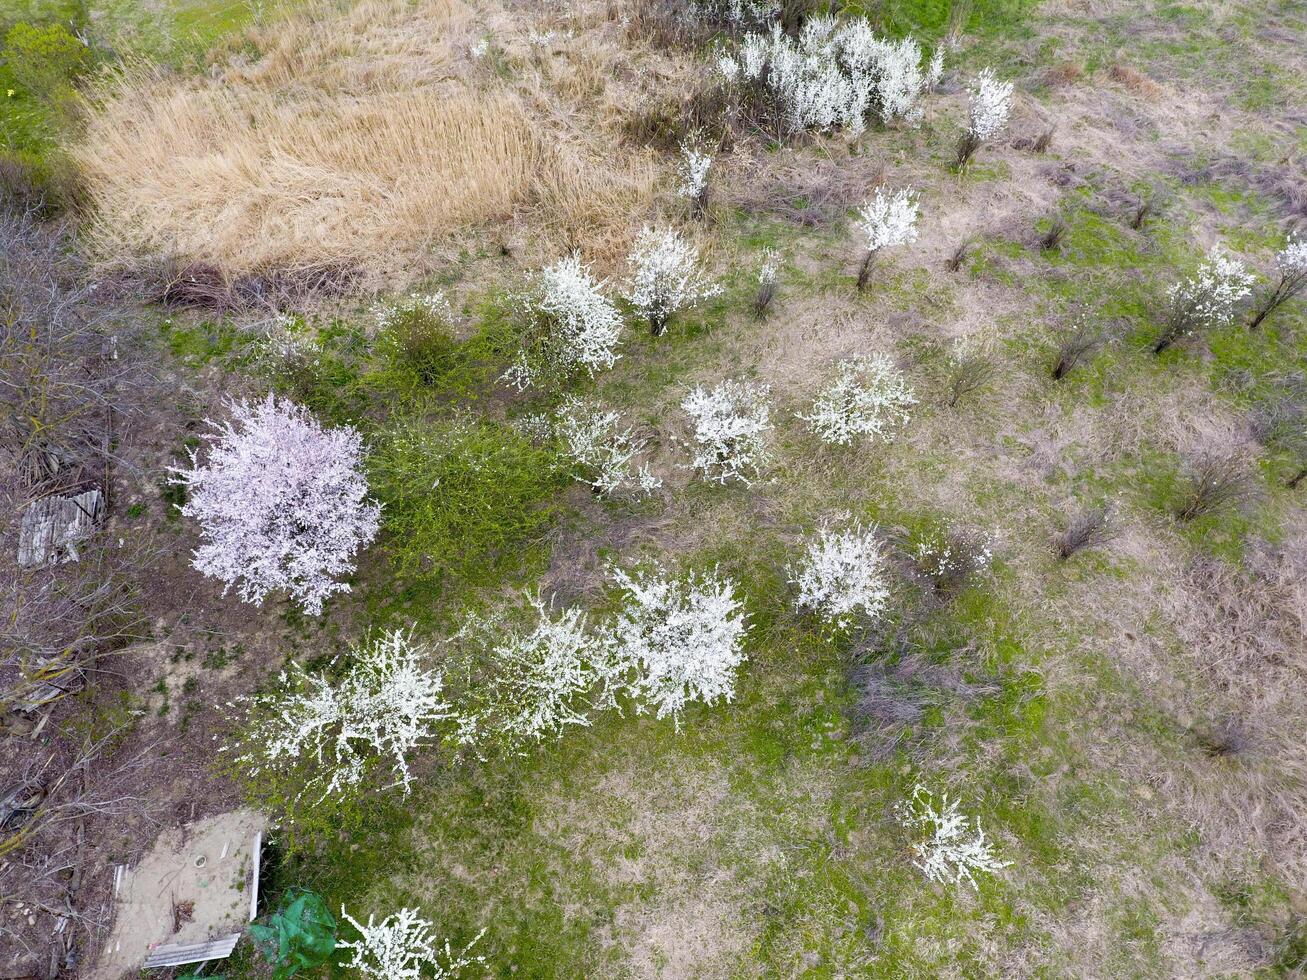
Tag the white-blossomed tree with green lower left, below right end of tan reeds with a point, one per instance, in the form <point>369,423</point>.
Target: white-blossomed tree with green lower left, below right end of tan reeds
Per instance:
<point>569,326</point>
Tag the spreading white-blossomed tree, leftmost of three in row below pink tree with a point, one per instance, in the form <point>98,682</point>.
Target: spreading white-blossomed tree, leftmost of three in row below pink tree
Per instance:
<point>386,706</point>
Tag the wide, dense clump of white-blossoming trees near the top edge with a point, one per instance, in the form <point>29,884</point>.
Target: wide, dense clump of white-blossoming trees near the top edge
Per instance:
<point>836,75</point>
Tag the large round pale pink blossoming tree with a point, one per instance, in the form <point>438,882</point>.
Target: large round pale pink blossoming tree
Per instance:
<point>282,502</point>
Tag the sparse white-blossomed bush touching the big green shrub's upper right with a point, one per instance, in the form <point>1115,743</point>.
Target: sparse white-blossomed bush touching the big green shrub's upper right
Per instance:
<point>604,453</point>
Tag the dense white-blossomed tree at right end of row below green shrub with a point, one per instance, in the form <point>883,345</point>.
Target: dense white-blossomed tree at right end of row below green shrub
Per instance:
<point>683,640</point>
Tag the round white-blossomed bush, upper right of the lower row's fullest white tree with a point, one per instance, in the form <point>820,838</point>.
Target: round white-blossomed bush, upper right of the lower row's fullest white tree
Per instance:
<point>844,576</point>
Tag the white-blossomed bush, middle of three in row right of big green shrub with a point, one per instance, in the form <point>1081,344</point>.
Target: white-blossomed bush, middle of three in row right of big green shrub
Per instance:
<point>731,425</point>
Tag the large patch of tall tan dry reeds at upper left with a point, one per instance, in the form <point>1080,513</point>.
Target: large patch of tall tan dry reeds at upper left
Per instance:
<point>359,139</point>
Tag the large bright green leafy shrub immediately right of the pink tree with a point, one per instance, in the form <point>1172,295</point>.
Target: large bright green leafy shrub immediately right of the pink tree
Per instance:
<point>461,498</point>
